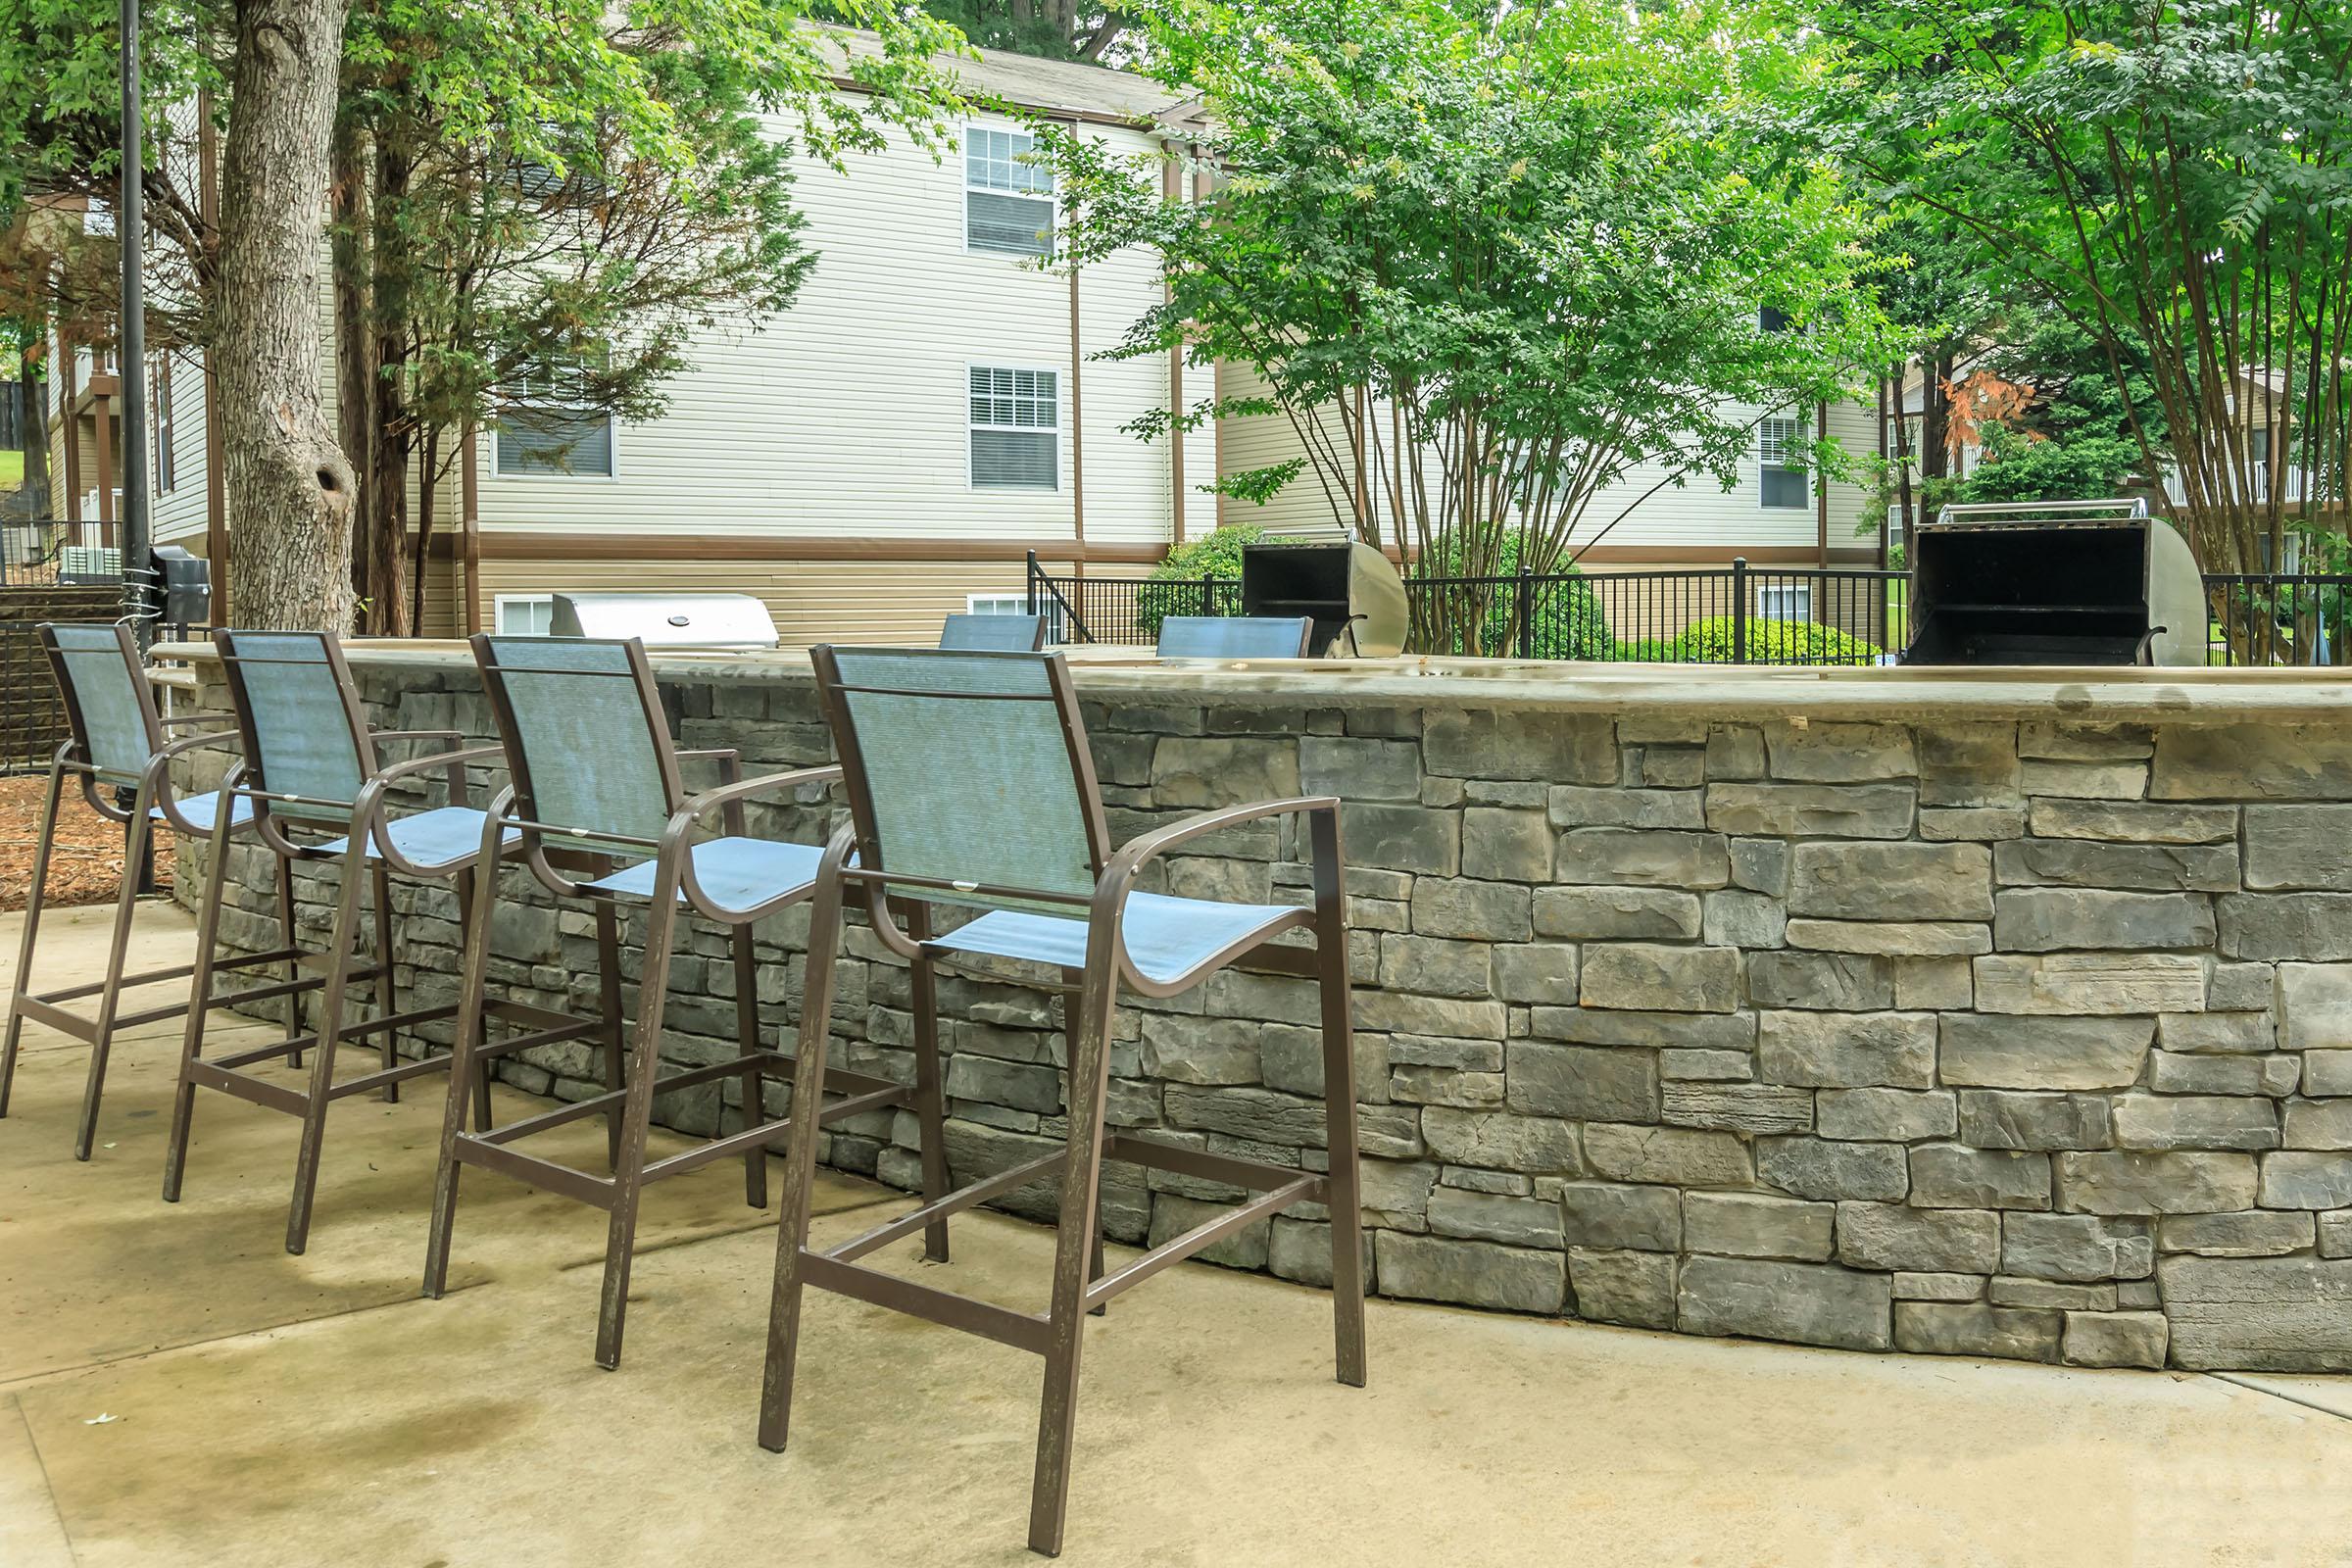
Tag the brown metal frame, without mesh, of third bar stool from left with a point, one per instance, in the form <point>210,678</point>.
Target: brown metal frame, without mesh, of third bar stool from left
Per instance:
<point>629,1101</point>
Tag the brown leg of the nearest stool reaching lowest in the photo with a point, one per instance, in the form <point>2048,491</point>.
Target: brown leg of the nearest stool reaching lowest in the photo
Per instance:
<point>1076,1240</point>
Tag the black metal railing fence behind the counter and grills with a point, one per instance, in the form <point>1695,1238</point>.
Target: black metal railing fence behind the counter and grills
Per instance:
<point>1732,615</point>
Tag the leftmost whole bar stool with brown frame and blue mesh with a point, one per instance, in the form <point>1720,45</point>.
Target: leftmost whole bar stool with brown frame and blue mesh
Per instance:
<point>119,744</point>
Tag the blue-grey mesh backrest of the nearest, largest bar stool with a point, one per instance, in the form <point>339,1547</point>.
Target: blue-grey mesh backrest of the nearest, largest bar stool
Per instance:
<point>965,768</point>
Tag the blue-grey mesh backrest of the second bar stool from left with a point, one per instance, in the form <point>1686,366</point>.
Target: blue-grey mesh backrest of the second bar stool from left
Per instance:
<point>300,721</point>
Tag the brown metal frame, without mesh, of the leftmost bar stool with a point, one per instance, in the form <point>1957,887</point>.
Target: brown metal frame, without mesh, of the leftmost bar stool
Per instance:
<point>154,793</point>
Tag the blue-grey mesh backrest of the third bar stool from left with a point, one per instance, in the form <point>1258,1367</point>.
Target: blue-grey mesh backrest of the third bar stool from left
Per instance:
<point>584,737</point>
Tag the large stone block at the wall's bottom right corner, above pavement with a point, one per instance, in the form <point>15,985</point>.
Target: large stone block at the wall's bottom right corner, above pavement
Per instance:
<point>2278,1315</point>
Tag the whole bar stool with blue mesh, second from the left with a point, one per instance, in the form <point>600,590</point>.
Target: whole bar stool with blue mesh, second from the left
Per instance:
<point>312,765</point>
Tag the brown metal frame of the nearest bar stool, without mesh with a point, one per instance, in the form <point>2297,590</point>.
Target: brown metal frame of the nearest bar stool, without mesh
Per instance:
<point>1078,1287</point>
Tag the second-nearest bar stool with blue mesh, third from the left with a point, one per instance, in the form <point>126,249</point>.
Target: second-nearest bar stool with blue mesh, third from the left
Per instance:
<point>596,793</point>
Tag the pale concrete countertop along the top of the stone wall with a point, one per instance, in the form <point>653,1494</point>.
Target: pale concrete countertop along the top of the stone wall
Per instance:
<point>1697,692</point>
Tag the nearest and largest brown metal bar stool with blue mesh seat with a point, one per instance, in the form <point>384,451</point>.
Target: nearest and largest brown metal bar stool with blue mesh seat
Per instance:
<point>970,786</point>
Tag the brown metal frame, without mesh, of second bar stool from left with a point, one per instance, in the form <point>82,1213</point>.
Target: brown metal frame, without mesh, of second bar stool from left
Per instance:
<point>368,824</point>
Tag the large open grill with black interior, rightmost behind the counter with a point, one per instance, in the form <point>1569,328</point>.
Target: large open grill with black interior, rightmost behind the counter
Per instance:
<point>2054,584</point>
